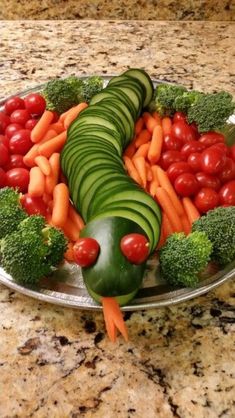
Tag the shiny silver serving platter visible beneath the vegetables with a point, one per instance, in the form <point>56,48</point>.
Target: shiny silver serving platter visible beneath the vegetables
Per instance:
<point>66,287</point>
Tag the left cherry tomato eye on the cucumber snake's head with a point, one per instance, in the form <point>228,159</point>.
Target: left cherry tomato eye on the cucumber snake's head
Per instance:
<point>86,251</point>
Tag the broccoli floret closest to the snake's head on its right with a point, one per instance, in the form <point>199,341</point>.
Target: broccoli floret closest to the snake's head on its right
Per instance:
<point>183,257</point>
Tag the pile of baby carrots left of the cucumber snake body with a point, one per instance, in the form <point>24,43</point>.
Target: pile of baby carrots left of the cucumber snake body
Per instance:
<point>46,180</point>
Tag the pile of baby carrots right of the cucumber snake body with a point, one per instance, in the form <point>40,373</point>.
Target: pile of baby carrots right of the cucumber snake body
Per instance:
<point>141,159</point>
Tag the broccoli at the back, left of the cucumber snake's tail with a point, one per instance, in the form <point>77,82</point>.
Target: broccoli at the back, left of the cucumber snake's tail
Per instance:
<point>62,94</point>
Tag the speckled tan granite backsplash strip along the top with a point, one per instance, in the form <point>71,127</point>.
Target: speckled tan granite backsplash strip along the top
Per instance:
<point>126,9</point>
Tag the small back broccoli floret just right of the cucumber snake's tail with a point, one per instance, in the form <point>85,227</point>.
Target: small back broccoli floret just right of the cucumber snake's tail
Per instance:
<point>165,95</point>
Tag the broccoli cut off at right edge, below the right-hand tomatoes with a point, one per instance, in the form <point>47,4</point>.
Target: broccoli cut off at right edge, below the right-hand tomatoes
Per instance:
<point>219,226</point>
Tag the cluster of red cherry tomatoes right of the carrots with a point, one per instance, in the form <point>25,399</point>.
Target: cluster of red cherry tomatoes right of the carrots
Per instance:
<point>199,166</point>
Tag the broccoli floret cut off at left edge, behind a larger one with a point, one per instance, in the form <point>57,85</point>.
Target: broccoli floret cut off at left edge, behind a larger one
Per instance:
<point>11,212</point>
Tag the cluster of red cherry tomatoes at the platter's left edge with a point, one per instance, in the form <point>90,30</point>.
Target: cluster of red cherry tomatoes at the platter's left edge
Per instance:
<point>17,119</point>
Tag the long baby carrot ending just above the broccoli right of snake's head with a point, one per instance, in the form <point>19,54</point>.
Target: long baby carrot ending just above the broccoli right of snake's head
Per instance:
<point>167,206</point>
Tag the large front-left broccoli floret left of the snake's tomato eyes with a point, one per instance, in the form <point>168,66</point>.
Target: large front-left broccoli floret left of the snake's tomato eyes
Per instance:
<point>32,251</point>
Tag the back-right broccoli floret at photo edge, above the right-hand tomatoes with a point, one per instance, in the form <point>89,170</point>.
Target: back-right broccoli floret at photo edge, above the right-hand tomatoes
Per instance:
<point>211,111</point>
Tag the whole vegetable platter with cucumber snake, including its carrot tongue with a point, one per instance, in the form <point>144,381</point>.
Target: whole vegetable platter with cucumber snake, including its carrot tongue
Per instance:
<point>142,165</point>
